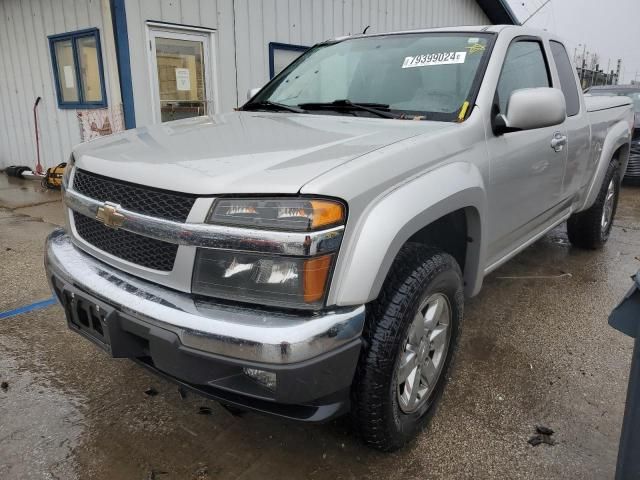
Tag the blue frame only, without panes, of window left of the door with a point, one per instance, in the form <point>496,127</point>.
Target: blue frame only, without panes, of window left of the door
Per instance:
<point>81,103</point>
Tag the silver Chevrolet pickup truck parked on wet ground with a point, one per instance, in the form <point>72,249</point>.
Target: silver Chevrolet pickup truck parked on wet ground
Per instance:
<point>309,254</point>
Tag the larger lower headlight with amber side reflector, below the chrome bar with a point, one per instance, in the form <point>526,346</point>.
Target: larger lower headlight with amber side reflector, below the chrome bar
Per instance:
<point>267,280</point>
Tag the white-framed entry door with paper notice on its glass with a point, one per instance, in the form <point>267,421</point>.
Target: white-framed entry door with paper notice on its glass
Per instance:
<point>181,74</point>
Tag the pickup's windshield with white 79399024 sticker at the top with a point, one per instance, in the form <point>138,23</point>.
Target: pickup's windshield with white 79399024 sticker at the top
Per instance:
<point>417,76</point>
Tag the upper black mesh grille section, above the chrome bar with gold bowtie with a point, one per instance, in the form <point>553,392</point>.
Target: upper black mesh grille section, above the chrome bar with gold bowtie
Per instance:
<point>137,198</point>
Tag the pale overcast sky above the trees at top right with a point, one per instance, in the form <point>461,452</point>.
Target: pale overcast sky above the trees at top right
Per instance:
<point>609,28</point>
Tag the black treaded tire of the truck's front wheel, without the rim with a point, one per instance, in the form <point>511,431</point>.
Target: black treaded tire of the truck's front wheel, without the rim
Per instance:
<point>418,272</point>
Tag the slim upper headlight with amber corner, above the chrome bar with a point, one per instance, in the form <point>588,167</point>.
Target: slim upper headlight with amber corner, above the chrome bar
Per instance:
<point>293,214</point>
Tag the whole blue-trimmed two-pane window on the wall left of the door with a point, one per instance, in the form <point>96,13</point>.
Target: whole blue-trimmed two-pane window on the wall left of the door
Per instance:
<point>77,69</point>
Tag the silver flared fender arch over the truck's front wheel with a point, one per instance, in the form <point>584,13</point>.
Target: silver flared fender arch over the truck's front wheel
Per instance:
<point>372,244</point>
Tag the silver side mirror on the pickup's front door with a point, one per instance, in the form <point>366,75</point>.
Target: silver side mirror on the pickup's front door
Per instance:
<point>531,108</point>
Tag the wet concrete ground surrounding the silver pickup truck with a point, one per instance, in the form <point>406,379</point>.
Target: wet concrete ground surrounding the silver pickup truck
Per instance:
<point>535,350</point>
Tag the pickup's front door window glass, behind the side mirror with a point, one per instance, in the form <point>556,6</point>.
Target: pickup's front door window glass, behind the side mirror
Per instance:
<point>525,66</point>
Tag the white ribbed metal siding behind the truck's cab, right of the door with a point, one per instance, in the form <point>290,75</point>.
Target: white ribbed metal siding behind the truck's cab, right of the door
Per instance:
<point>306,22</point>
